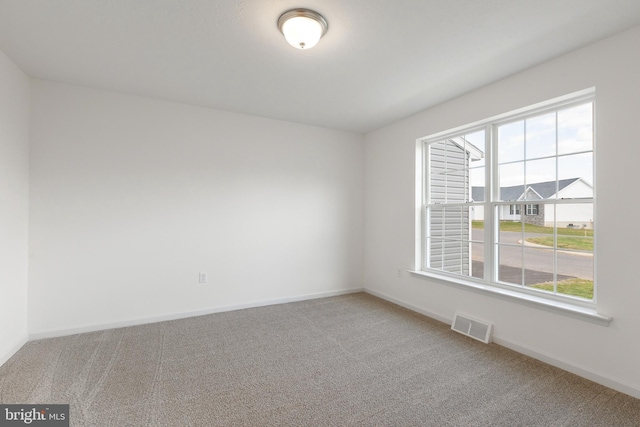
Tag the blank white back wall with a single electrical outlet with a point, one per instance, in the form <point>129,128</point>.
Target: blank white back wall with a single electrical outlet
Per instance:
<point>131,198</point>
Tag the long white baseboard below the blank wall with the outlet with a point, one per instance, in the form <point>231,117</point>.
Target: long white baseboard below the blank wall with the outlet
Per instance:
<point>184,315</point>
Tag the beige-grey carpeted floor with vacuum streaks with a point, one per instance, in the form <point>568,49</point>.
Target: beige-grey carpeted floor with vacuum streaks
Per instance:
<point>352,360</point>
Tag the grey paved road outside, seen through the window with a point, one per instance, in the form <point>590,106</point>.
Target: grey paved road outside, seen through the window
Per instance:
<point>538,261</point>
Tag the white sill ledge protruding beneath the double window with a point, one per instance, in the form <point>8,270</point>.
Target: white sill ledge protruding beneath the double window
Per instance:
<point>566,308</point>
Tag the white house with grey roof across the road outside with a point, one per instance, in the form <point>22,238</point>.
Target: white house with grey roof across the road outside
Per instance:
<point>574,215</point>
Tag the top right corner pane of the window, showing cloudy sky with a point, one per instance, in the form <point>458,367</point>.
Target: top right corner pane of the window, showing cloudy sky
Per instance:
<point>575,129</point>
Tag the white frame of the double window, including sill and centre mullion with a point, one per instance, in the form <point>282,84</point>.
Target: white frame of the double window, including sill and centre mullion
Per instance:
<point>565,304</point>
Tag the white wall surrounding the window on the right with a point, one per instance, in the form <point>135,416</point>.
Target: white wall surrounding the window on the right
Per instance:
<point>607,354</point>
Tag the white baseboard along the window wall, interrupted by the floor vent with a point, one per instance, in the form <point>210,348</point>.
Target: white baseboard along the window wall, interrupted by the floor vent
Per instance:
<point>604,380</point>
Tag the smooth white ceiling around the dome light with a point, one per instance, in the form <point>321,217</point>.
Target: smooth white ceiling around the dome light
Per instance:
<point>381,60</point>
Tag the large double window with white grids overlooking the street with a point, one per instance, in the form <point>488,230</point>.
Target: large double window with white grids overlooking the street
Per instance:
<point>477,181</point>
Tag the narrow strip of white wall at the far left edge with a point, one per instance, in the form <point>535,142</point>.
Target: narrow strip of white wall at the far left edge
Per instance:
<point>14,211</point>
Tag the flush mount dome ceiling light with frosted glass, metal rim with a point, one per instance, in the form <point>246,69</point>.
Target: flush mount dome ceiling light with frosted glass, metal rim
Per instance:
<point>302,27</point>
